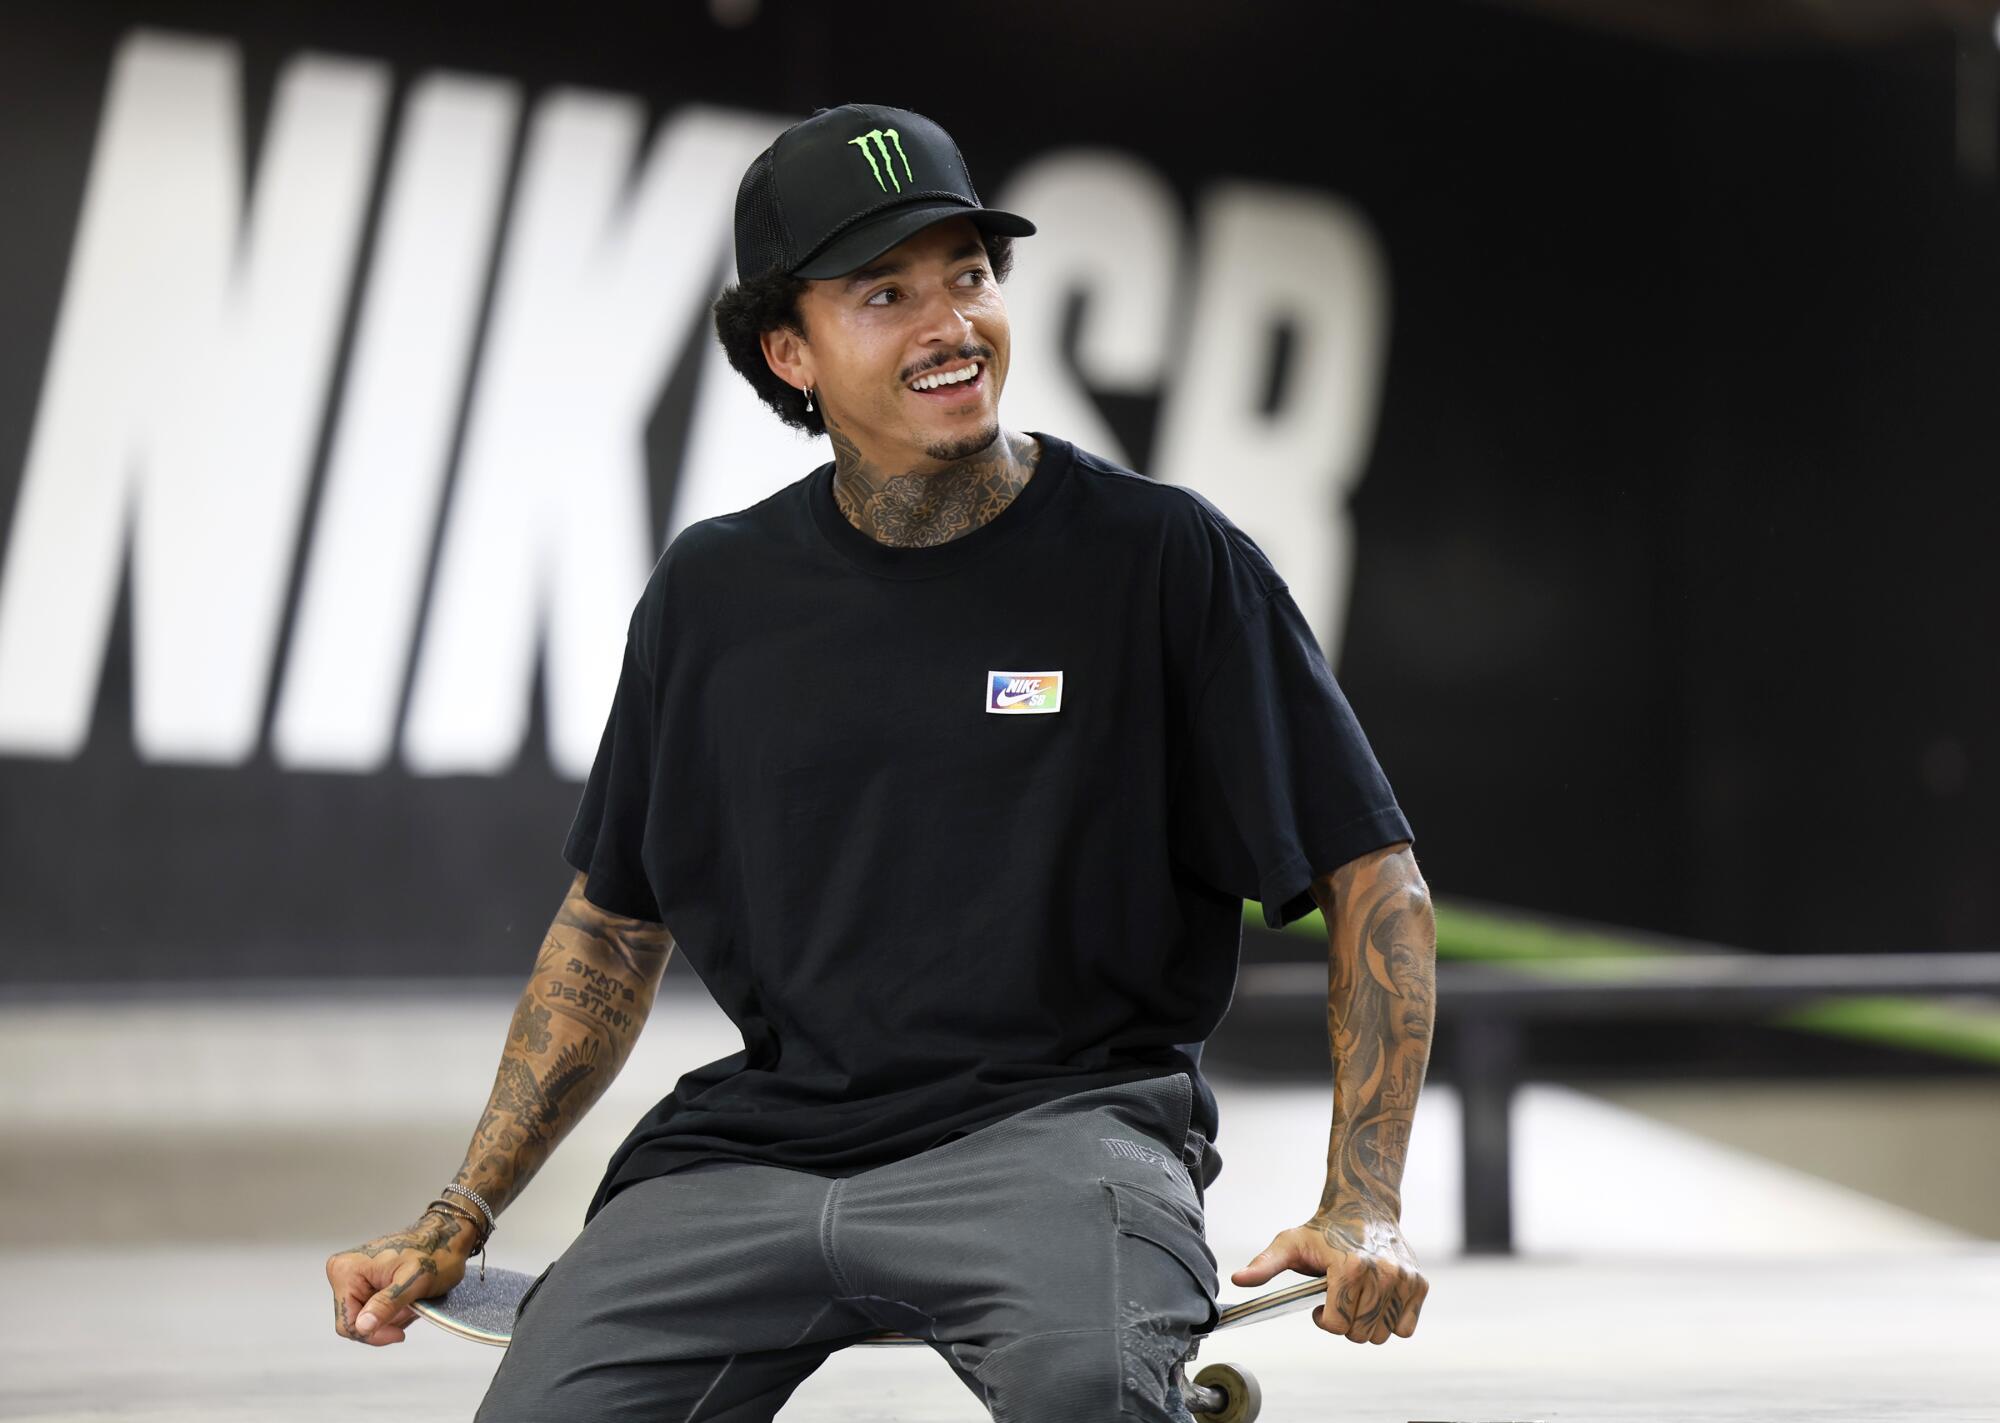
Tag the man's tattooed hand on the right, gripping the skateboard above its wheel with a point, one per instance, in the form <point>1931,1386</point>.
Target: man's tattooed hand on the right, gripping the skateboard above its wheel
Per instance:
<point>1373,1284</point>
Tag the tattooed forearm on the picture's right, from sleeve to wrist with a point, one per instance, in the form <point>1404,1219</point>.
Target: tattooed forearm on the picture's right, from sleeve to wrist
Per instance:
<point>1379,1016</point>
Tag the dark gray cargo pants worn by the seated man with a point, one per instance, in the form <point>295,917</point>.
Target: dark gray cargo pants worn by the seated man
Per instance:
<point>1055,1260</point>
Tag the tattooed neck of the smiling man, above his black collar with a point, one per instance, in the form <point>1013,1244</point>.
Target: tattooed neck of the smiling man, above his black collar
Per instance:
<point>917,511</point>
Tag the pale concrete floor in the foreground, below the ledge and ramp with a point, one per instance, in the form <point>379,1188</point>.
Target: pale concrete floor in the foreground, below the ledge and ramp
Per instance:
<point>239,1336</point>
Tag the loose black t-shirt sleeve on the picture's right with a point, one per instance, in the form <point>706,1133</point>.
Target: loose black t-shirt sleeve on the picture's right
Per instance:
<point>1279,782</point>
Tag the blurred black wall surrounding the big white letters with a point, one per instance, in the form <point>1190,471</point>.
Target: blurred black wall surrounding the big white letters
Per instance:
<point>1673,603</point>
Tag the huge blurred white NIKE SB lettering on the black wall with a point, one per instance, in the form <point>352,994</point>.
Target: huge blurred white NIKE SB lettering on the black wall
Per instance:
<point>199,345</point>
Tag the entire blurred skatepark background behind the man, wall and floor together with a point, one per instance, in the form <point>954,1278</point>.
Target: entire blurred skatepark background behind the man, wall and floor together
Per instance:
<point>1613,381</point>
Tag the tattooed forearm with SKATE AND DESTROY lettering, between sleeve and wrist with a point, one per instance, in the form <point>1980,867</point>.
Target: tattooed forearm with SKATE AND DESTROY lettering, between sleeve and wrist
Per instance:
<point>573,1030</point>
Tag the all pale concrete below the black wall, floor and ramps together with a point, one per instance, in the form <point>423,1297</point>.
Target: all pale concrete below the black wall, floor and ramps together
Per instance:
<point>177,1174</point>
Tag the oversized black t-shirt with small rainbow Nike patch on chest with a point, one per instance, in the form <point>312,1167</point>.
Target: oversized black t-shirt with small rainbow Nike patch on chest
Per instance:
<point>965,828</point>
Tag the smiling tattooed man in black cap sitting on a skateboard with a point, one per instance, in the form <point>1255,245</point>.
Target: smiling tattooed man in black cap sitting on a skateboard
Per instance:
<point>973,936</point>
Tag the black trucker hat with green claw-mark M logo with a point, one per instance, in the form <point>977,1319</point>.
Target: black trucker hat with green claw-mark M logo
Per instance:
<point>849,185</point>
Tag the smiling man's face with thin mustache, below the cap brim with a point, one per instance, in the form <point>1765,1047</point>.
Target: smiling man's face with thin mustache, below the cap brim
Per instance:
<point>879,339</point>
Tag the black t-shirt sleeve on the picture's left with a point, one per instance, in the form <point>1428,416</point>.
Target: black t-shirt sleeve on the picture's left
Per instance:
<point>609,834</point>
